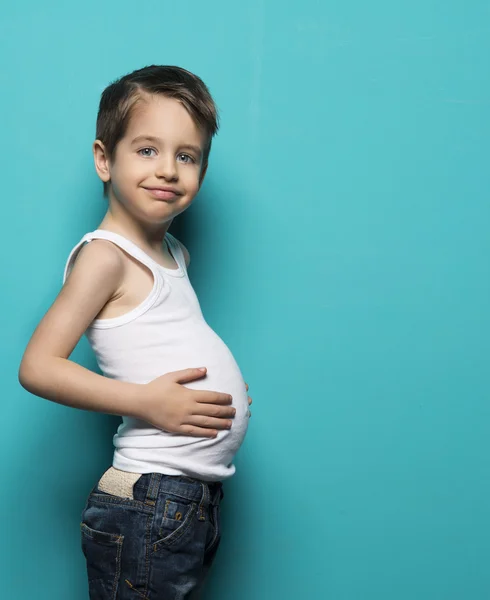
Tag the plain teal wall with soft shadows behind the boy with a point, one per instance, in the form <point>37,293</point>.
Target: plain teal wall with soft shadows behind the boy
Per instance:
<point>339,246</point>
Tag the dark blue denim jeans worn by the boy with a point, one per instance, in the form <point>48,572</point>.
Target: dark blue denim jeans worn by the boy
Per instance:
<point>157,545</point>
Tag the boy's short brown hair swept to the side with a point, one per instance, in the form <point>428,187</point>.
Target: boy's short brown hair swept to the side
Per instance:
<point>120,97</point>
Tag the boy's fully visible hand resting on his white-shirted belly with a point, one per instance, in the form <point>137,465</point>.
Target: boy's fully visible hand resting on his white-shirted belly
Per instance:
<point>168,405</point>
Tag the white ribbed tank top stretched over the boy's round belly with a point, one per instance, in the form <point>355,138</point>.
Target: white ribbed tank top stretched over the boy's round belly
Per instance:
<point>167,332</point>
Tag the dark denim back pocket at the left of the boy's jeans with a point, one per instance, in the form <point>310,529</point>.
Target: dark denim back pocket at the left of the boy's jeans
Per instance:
<point>103,555</point>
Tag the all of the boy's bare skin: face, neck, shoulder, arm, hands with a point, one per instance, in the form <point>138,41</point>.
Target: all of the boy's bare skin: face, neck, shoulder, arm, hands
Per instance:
<point>106,282</point>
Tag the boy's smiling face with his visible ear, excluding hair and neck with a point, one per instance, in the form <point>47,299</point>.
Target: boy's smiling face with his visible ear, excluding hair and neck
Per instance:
<point>157,167</point>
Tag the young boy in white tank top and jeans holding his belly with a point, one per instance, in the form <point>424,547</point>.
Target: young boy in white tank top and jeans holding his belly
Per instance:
<point>151,524</point>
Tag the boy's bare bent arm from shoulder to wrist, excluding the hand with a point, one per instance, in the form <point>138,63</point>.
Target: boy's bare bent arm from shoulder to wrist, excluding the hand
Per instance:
<point>45,369</point>
